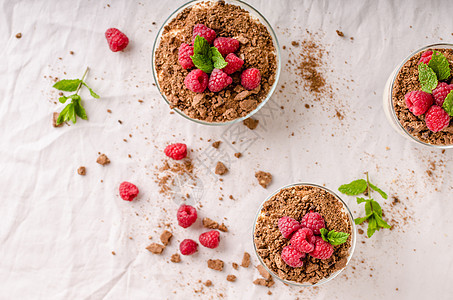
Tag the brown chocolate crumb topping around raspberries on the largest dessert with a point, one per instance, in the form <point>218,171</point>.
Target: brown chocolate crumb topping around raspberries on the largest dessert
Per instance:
<point>257,51</point>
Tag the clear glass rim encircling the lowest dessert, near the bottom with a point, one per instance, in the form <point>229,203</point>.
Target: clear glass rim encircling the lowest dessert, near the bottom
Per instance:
<point>345,209</point>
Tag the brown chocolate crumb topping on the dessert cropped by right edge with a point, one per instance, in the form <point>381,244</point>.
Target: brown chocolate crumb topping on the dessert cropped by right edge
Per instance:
<point>407,81</point>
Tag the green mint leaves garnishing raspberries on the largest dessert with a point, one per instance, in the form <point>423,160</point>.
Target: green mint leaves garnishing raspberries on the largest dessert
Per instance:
<point>205,57</point>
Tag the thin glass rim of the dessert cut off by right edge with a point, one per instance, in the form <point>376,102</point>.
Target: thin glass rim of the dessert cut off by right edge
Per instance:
<point>392,108</point>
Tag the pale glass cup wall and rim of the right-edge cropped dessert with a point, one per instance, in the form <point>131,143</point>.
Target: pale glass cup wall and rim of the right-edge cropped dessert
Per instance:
<point>389,109</point>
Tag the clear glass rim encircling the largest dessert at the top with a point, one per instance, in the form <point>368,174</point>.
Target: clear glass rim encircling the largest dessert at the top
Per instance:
<point>254,13</point>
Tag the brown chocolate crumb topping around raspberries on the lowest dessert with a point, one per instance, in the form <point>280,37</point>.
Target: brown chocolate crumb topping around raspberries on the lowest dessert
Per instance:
<point>295,202</point>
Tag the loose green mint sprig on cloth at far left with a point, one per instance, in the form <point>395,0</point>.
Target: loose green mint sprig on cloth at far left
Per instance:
<point>74,108</point>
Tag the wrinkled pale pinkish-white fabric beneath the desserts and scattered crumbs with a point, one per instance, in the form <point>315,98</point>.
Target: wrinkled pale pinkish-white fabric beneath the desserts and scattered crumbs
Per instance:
<point>58,229</point>
